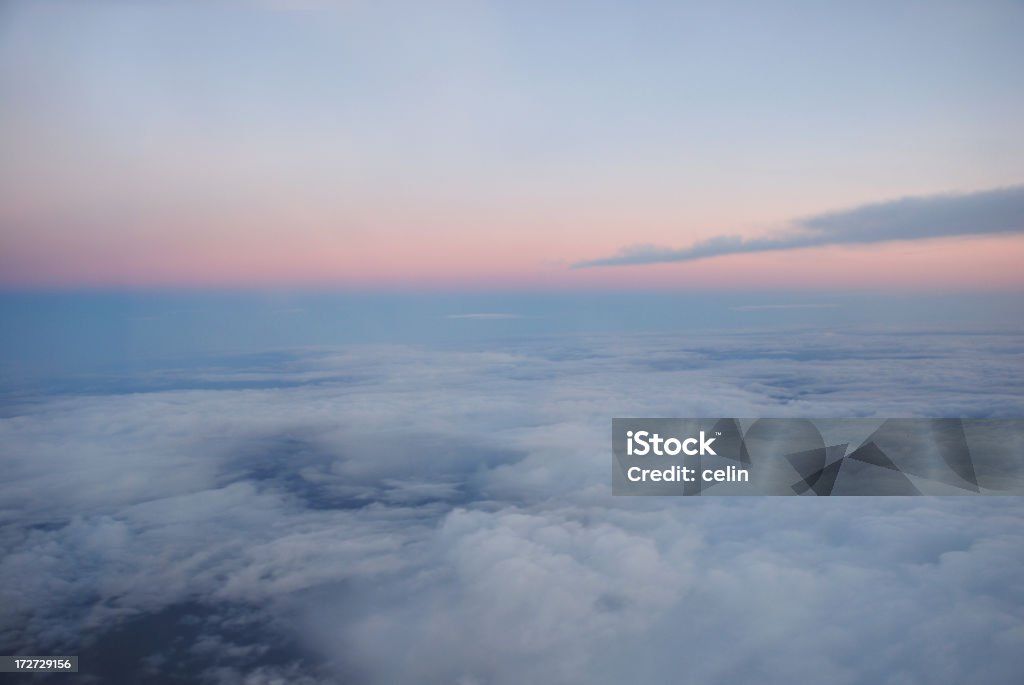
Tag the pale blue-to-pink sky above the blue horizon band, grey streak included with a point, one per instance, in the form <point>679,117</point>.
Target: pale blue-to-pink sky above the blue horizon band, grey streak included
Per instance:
<point>472,145</point>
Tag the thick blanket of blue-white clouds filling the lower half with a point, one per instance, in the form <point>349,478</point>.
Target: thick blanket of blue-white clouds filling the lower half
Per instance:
<point>438,516</point>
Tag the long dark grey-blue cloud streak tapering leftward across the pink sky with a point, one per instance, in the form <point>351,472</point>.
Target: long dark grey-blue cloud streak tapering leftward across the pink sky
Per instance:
<point>983,213</point>
